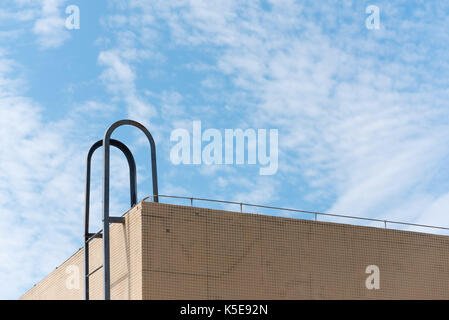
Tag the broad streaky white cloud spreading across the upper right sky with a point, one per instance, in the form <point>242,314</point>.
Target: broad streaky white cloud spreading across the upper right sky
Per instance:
<point>364,120</point>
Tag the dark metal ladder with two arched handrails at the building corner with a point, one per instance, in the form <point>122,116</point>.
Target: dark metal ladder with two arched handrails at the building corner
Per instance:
<point>104,233</point>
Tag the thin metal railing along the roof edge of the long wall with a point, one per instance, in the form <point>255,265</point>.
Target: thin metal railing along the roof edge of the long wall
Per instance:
<point>315,214</point>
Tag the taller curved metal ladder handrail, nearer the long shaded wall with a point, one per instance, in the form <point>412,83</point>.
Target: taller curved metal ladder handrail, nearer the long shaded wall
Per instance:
<point>106,173</point>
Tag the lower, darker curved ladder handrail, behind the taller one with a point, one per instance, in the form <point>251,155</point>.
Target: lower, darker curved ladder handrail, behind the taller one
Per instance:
<point>133,199</point>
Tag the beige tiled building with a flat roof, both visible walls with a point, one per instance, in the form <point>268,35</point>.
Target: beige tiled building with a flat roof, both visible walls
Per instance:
<point>168,251</point>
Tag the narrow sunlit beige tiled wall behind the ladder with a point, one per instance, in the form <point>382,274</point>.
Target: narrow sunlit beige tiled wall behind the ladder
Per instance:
<point>126,266</point>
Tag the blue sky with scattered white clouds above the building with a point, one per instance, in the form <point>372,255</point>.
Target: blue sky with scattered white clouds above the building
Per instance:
<point>362,115</point>
